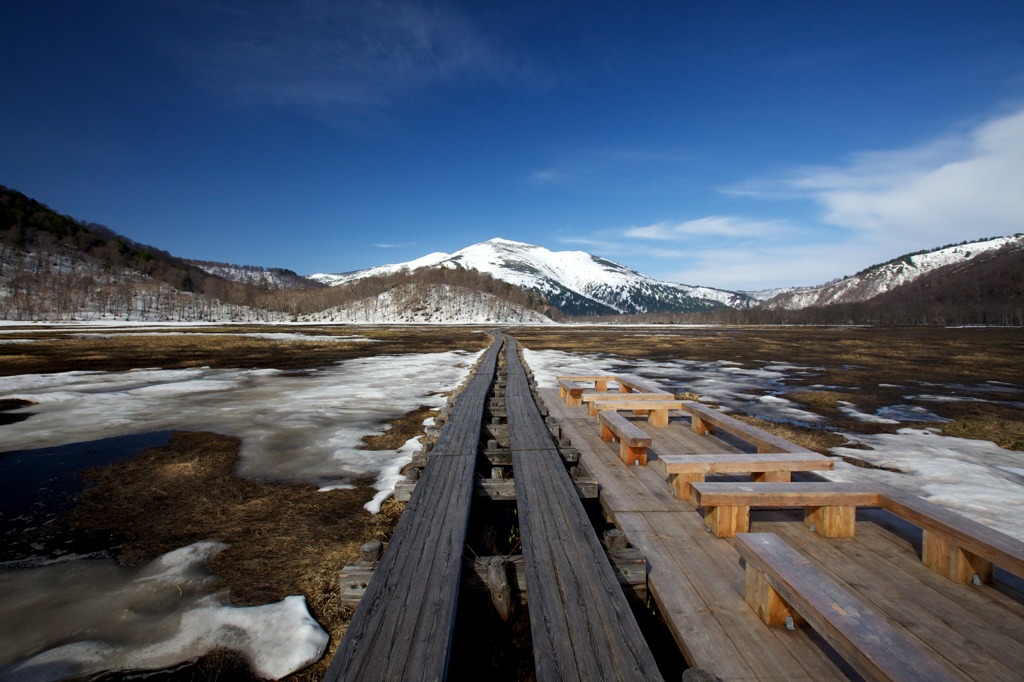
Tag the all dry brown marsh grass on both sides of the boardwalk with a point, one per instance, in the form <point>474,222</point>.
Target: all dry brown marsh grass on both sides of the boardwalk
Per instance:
<point>289,539</point>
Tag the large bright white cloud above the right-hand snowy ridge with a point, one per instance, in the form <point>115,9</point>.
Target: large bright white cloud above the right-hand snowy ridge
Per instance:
<point>876,206</point>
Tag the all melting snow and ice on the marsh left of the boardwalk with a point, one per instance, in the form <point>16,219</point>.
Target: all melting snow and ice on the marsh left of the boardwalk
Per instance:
<point>91,616</point>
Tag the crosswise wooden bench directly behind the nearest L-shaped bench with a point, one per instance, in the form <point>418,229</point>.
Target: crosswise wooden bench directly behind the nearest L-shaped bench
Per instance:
<point>685,471</point>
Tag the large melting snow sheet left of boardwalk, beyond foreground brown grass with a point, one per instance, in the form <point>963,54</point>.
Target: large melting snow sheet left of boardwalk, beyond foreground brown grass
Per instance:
<point>294,427</point>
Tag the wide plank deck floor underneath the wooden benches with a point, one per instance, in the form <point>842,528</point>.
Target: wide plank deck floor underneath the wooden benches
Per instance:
<point>699,581</point>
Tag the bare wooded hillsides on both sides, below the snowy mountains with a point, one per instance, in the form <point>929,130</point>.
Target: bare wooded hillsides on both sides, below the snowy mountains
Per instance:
<point>54,267</point>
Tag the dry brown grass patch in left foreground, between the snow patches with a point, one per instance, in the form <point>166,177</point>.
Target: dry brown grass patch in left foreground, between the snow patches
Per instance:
<point>284,538</point>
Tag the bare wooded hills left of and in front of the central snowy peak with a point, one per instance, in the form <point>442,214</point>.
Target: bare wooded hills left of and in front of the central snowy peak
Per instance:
<point>54,267</point>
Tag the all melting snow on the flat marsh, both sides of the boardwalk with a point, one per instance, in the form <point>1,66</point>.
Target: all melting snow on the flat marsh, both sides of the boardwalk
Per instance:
<point>309,425</point>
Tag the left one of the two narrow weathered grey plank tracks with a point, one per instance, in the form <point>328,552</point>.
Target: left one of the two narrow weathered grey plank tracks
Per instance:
<point>403,628</point>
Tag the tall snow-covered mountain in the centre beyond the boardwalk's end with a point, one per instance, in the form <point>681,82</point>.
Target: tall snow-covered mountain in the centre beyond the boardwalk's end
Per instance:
<point>576,282</point>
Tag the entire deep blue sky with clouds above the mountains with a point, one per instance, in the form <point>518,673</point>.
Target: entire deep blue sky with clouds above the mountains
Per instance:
<point>737,145</point>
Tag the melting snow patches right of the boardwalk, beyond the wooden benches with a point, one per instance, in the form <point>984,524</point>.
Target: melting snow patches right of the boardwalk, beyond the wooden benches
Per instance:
<point>976,479</point>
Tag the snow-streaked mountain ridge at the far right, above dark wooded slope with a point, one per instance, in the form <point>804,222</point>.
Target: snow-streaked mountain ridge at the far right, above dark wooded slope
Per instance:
<point>884,278</point>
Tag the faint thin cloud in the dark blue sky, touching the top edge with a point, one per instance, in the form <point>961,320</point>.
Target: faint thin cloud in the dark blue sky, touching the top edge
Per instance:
<point>327,55</point>
